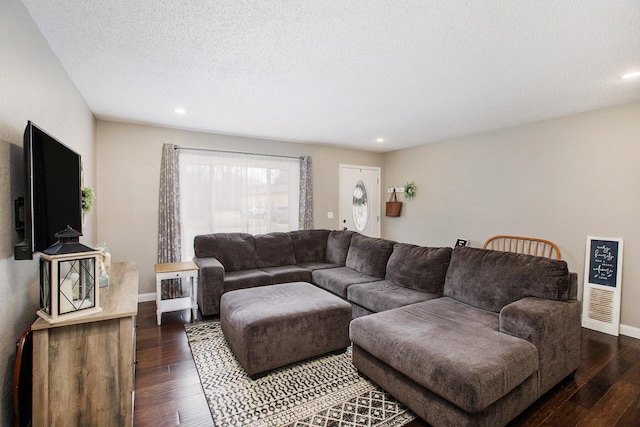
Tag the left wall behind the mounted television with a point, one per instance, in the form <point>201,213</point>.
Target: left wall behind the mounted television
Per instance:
<point>33,86</point>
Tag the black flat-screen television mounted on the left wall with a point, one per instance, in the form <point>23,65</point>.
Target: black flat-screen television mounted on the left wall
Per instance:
<point>53,193</point>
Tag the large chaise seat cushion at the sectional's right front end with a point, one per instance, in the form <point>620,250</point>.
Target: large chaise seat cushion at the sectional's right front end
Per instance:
<point>449,348</point>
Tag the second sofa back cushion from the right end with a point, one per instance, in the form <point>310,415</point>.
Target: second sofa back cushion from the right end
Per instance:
<point>418,267</point>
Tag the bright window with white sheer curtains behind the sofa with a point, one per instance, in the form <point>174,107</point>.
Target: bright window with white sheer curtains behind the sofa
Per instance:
<point>228,192</point>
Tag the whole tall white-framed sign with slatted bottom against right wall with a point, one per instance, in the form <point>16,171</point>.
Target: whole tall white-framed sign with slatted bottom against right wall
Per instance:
<point>602,284</point>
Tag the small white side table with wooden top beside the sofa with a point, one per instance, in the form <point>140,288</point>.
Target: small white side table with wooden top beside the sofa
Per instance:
<point>176,270</point>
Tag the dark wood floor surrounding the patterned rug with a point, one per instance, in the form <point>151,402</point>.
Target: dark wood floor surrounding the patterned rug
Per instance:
<point>604,392</point>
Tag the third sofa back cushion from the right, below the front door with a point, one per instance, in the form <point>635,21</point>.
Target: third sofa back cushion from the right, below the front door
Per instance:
<point>369,255</point>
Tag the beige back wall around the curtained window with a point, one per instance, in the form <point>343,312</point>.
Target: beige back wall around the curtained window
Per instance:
<point>129,175</point>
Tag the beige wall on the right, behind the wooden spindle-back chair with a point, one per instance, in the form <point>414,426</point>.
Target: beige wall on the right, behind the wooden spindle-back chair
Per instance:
<point>560,180</point>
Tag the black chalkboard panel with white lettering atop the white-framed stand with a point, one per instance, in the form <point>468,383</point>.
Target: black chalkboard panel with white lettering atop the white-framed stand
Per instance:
<point>603,261</point>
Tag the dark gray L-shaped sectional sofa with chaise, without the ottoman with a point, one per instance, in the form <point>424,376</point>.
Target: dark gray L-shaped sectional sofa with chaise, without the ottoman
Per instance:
<point>462,336</point>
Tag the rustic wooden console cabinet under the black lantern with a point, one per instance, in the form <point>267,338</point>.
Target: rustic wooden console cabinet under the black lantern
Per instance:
<point>84,369</point>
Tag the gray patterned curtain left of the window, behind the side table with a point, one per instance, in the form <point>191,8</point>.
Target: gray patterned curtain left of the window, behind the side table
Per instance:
<point>169,239</point>
